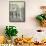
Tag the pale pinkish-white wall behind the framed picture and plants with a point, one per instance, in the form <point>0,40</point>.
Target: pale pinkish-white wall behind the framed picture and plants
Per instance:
<point>32,8</point>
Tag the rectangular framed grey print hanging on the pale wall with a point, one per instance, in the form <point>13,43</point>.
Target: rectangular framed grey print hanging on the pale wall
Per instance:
<point>16,11</point>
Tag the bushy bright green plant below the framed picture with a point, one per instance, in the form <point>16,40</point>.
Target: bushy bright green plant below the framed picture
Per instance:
<point>11,31</point>
